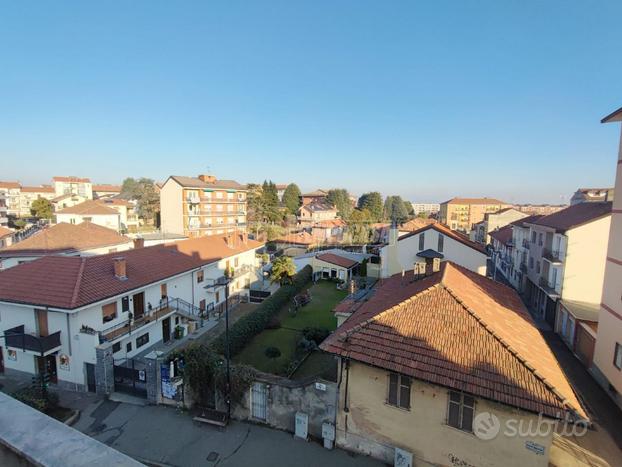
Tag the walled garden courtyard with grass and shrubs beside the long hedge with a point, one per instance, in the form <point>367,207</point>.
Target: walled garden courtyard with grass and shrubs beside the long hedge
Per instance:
<point>286,333</point>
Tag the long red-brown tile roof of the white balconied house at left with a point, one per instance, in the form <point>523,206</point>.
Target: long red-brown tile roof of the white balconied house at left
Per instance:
<point>70,282</point>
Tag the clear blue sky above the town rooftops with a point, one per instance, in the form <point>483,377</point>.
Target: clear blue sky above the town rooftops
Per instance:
<point>424,99</point>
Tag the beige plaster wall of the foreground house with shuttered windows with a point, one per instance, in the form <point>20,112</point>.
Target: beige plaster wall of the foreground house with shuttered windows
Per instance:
<point>371,426</point>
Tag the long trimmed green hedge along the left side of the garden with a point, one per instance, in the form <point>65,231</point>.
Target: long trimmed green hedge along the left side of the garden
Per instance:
<point>252,324</point>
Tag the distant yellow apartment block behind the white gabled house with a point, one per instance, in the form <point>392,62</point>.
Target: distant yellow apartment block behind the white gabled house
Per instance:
<point>462,213</point>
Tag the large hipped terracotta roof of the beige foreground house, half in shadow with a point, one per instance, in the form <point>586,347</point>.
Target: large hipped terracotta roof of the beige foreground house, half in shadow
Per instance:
<point>459,330</point>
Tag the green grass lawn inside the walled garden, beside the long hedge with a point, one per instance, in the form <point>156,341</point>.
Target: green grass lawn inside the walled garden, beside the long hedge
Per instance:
<point>318,313</point>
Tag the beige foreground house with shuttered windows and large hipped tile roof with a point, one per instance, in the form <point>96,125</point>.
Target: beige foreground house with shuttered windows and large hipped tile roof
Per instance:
<point>421,359</point>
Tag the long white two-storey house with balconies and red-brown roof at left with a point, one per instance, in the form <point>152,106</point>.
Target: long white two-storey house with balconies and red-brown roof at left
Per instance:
<point>69,315</point>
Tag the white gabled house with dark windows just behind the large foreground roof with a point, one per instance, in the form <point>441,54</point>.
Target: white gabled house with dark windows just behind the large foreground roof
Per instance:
<point>423,246</point>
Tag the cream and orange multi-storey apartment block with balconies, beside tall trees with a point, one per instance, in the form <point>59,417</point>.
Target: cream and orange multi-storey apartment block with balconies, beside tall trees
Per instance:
<point>202,206</point>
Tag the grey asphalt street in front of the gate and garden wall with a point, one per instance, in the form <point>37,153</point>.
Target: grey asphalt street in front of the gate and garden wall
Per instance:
<point>165,436</point>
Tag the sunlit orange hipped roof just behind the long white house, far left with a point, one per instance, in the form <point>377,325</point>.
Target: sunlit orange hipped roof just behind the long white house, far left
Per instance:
<point>65,238</point>
